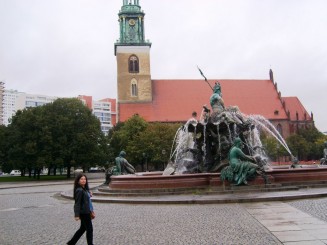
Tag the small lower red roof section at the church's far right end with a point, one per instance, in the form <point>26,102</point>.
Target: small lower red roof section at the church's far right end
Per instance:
<point>294,105</point>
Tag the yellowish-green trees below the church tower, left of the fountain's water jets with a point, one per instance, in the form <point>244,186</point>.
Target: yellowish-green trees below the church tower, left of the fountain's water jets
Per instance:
<point>143,141</point>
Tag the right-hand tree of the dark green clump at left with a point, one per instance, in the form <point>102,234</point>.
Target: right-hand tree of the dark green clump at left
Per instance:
<point>77,139</point>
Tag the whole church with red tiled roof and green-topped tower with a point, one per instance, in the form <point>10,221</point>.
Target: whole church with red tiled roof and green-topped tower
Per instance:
<point>162,100</point>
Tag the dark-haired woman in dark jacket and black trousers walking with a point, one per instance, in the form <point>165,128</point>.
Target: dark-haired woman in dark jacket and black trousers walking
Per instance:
<point>83,209</point>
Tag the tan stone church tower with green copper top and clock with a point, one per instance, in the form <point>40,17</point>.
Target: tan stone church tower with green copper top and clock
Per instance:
<point>133,56</point>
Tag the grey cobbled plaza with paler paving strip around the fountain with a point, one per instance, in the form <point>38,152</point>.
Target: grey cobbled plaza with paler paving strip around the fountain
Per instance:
<point>38,215</point>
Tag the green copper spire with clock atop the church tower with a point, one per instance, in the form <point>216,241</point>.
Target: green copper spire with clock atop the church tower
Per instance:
<point>131,23</point>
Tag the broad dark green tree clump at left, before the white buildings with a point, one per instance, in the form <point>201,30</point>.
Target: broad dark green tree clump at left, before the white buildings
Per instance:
<point>60,134</point>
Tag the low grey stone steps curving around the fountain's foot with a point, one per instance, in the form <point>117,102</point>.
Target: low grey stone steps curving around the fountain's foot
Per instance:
<point>208,195</point>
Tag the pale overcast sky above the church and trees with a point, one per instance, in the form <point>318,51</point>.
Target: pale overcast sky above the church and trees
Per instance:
<point>65,48</point>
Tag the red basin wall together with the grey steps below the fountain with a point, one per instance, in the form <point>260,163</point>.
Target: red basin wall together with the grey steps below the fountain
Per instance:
<point>153,188</point>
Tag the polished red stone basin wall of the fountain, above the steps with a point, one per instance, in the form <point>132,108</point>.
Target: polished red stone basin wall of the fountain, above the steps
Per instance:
<point>155,180</point>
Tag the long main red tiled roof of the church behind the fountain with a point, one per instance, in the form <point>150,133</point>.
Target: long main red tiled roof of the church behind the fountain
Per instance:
<point>175,100</point>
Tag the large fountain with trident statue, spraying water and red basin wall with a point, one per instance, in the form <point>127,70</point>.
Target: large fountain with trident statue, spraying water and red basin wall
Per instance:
<point>201,153</point>
